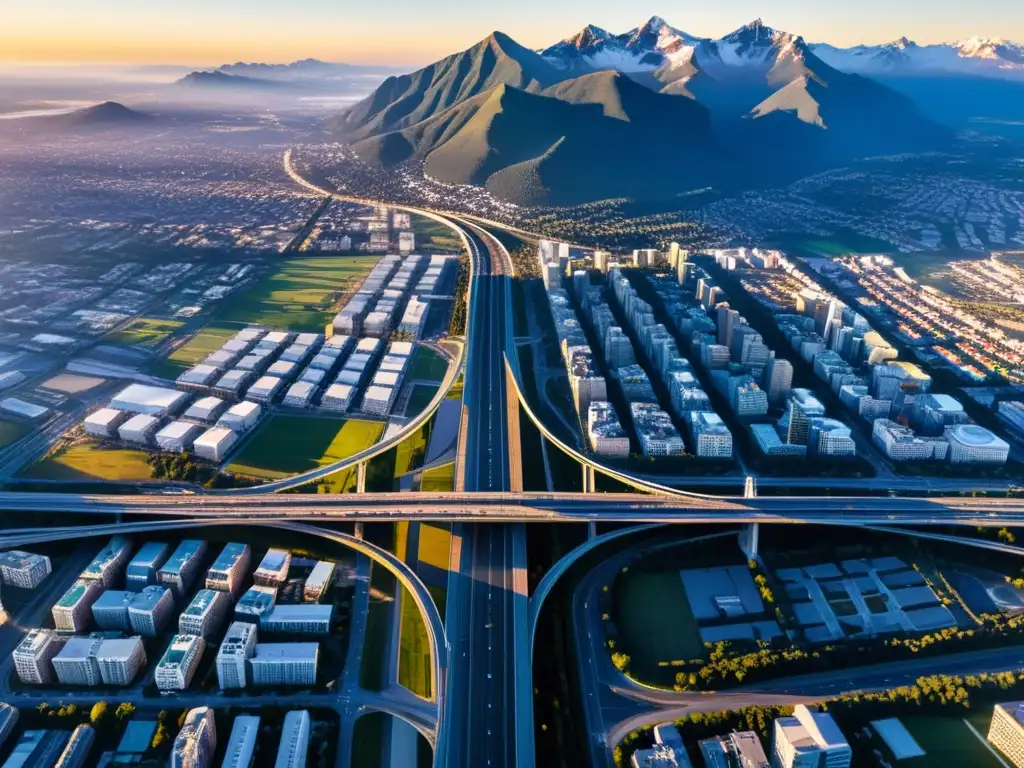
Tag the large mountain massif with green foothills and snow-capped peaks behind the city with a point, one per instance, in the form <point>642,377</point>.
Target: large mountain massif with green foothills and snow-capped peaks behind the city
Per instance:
<point>649,114</point>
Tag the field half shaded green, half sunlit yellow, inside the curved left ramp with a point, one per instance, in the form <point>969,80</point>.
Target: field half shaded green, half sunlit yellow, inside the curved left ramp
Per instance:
<point>287,446</point>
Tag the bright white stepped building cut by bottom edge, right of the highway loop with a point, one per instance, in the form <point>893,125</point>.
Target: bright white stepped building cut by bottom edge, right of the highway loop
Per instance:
<point>809,740</point>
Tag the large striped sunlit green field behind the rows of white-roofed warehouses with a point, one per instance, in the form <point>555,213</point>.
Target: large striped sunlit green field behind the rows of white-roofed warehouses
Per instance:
<point>304,295</point>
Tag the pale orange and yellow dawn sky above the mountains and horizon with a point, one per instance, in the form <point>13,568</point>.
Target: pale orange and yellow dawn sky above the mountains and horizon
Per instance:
<point>409,32</point>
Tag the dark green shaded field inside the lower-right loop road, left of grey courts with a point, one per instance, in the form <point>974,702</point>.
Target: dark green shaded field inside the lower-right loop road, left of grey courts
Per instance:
<point>655,623</point>
